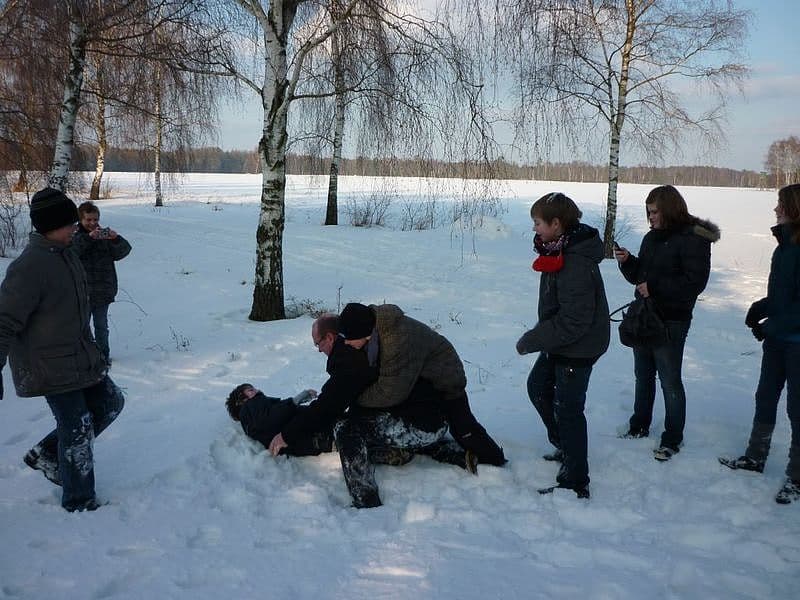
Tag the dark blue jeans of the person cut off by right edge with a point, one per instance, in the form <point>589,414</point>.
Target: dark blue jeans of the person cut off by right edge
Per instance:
<point>780,365</point>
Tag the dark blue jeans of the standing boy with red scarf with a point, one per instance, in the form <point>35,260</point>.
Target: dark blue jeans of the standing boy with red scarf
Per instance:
<point>558,392</point>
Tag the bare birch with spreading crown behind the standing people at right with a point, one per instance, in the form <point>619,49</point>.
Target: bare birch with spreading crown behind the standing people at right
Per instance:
<point>620,64</point>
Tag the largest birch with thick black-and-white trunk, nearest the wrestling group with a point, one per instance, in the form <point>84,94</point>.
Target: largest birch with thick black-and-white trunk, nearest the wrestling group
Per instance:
<point>288,34</point>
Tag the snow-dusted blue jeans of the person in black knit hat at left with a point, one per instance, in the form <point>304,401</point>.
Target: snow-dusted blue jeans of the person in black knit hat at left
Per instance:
<point>80,415</point>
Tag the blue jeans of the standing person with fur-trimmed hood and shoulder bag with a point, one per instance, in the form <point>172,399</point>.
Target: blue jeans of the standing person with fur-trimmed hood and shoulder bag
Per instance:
<point>665,360</point>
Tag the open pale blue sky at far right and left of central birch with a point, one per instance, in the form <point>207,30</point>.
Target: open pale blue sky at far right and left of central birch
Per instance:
<point>766,112</point>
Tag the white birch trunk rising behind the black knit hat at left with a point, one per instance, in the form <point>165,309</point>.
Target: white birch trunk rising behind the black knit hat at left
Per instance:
<point>65,137</point>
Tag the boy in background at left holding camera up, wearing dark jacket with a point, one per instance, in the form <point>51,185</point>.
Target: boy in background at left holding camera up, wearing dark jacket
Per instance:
<point>98,248</point>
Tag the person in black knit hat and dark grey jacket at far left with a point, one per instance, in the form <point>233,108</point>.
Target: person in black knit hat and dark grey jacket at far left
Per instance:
<point>44,332</point>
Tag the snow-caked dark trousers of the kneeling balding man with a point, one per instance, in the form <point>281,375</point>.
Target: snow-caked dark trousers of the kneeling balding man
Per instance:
<point>362,440</point>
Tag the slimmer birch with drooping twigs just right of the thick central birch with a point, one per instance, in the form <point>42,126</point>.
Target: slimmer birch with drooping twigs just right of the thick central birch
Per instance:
<point>395,81</point>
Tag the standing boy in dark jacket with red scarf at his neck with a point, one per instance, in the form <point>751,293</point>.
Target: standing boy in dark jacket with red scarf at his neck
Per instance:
<point>572,333</point>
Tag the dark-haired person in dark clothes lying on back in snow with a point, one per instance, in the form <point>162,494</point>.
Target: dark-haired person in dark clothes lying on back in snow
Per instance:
<point>262,417</point>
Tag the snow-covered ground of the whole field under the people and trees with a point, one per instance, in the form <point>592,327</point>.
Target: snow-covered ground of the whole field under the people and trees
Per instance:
<point>197,510</point>
